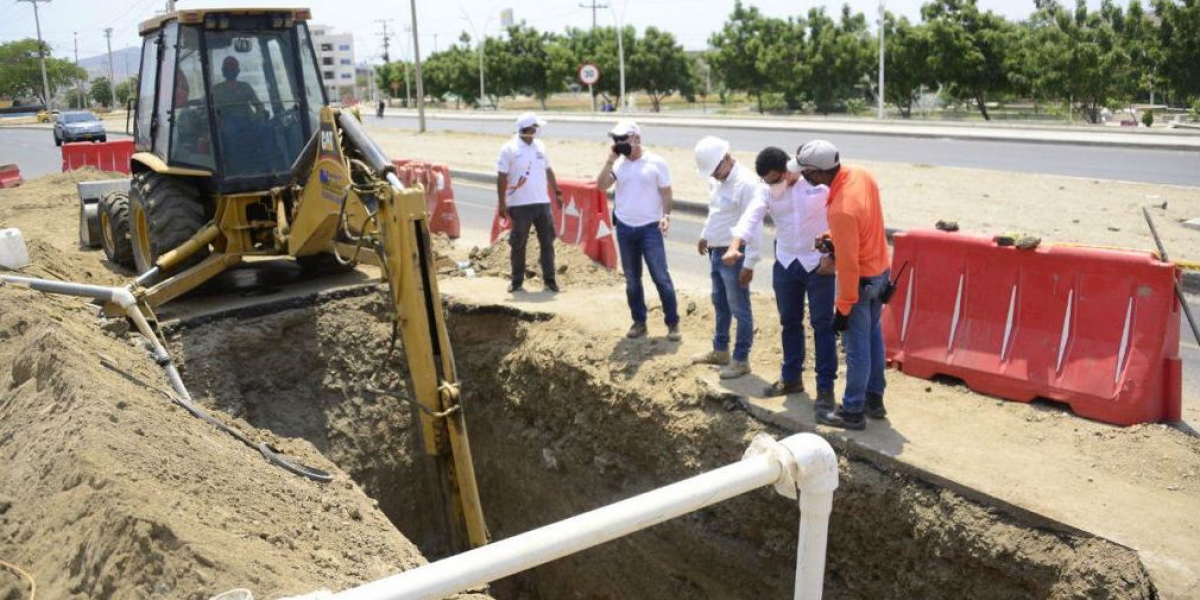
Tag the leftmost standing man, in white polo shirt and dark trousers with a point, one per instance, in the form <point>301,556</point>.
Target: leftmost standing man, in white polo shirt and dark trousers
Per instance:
<point>524,179</point>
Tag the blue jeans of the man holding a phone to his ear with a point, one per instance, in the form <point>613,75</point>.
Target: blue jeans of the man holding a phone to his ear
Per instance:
<point>640,244</point>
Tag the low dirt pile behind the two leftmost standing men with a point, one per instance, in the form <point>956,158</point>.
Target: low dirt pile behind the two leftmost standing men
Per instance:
<point>574,268</point>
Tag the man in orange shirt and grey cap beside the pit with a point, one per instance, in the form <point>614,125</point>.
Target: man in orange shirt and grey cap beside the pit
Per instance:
<point>861,245</point>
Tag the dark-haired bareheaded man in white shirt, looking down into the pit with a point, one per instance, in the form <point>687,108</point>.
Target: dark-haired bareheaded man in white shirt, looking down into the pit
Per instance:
<point>801,271</point>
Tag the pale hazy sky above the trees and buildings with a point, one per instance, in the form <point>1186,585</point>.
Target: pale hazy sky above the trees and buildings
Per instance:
<point>440,22</point>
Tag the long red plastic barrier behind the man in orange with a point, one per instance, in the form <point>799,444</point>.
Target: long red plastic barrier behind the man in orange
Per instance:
<point>1096,329</point>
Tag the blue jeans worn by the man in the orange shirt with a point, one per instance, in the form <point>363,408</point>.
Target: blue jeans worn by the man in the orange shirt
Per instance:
<point>863,341</point>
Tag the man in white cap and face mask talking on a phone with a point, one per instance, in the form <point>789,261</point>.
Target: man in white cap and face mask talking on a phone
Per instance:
<point>643,218</point>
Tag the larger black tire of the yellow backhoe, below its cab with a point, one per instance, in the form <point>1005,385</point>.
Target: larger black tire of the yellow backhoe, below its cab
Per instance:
<point>165,212</point>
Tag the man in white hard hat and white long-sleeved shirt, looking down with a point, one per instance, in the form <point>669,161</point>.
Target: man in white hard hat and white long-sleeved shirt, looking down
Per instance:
<point>731,191</point>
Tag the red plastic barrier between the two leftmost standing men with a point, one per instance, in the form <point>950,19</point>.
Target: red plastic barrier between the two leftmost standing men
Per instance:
<point>584,220</point>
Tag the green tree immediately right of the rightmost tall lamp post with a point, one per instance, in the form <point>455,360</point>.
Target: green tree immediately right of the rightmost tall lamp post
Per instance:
<point>905,63</point>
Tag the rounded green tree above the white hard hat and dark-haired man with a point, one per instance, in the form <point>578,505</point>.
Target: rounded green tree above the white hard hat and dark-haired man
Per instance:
<point>745,51</point>
